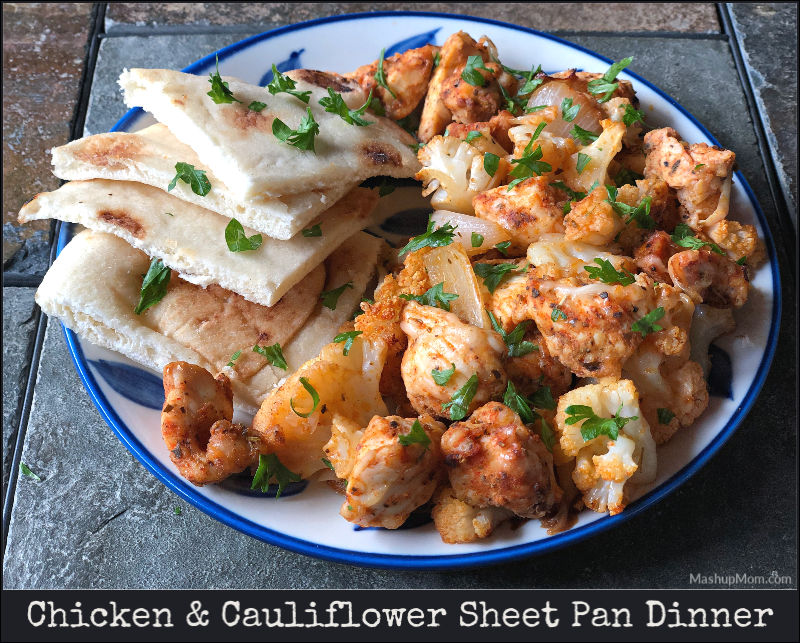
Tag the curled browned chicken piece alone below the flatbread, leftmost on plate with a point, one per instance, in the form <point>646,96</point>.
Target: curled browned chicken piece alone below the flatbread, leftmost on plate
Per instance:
<point>203,443</point>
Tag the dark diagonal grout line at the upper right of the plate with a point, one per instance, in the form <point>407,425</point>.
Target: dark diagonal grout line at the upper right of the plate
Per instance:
<point>786,229</point>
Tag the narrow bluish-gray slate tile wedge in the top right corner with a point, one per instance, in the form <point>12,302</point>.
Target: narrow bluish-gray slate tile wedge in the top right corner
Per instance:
<point>767,33</point>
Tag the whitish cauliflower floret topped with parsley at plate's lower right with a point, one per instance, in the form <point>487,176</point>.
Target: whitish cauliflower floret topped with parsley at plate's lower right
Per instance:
<point>605,468</point>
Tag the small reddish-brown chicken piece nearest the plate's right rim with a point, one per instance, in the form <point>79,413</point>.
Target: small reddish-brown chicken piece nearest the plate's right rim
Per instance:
<point>710,278</point>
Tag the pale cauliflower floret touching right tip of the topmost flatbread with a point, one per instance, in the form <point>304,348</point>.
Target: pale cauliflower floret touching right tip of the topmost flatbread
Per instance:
<point>453,171</point>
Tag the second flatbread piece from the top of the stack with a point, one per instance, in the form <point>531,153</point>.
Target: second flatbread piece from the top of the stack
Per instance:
<point>149,156</point>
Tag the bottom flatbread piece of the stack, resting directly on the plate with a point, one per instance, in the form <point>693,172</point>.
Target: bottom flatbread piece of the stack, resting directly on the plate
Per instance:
<point>94,284</point>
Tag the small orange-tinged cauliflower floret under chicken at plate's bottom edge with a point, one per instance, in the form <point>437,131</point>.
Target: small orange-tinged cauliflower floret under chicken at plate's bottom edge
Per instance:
<point>458,522</point>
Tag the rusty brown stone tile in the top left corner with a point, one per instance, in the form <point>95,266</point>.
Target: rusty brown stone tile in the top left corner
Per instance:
<point>44,50</point>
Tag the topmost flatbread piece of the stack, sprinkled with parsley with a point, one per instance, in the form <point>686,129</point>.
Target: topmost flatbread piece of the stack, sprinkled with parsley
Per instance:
<point>238,145</point>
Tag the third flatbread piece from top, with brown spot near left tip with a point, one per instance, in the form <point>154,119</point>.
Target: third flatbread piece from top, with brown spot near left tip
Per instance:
<point>191,240</point>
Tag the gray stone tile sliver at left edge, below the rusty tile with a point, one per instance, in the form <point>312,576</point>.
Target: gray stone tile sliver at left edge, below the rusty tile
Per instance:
<point>18,333</point>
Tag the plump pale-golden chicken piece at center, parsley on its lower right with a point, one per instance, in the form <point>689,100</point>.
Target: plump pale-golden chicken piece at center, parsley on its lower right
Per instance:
<point>440,340</point>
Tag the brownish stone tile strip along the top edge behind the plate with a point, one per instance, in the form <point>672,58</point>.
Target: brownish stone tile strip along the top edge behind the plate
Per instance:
<point>612,16</point>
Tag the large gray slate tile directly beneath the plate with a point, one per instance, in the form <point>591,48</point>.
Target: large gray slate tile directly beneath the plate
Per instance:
<point>100,520</point>
